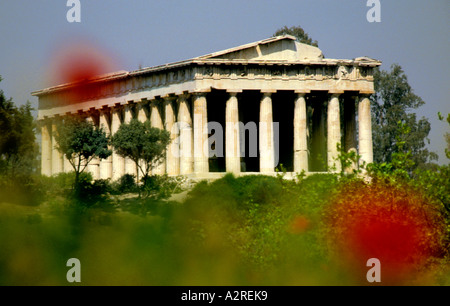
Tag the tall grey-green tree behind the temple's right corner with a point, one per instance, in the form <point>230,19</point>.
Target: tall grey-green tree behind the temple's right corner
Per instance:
<point>392,103</point>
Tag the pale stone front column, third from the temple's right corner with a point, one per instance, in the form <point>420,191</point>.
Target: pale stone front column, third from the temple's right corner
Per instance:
<point>300,134</point>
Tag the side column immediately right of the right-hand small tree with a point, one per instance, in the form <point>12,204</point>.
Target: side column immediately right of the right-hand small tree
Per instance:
<point>172,155</point>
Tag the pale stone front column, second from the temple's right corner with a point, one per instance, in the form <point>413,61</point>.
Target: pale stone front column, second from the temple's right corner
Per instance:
<point>334,132</point>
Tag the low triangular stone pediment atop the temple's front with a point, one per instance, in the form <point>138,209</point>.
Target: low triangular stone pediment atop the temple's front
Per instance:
<point>276,48</point>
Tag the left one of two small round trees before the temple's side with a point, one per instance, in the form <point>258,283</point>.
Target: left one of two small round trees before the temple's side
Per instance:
<point>80,142</point>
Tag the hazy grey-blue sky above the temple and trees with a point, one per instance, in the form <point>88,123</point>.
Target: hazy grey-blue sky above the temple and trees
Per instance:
<point>412,33</point>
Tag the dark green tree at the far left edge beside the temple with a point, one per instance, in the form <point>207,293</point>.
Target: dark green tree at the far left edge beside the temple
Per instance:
<point>18,147</point>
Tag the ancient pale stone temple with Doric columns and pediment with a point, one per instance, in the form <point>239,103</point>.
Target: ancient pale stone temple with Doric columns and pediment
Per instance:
<point>243,110</point>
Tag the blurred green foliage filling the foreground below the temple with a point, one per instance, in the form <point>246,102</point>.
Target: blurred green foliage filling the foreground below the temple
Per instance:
<point>249,230</point>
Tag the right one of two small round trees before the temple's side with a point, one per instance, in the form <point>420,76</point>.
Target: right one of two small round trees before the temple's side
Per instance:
<point>143,144</point>
